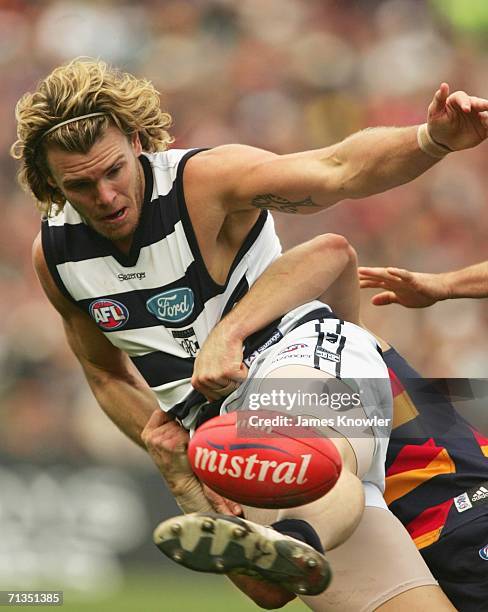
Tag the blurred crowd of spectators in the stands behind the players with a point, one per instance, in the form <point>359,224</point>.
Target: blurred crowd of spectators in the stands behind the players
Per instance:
<point>285,75</point>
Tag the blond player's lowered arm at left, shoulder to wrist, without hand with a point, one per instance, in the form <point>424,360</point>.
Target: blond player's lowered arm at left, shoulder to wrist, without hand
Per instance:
<point>117,385</point>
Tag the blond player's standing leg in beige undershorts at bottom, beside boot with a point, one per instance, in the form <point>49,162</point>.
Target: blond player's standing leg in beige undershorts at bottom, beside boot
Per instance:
<point>379,568</point>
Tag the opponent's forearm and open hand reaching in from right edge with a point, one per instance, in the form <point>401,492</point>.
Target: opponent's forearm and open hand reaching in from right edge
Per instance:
<point>418,289</point>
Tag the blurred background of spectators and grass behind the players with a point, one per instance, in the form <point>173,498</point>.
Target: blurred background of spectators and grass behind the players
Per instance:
<point>77,501</point>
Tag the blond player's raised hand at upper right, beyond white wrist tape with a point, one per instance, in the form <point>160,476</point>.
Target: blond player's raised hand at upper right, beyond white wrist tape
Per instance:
<point>457,121</point>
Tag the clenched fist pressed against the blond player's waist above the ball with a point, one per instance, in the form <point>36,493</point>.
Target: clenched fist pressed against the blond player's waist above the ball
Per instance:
<point>218,369</point>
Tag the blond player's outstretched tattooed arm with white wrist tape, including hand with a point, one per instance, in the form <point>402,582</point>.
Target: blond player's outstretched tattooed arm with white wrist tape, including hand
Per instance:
<point>366,163</point>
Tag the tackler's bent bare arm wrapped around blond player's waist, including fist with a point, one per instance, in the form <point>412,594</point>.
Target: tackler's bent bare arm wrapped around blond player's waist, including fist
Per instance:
<point>322,268</point>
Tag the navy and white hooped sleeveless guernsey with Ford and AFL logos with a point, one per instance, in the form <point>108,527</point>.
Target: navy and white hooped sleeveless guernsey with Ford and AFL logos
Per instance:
<point>158,303</point>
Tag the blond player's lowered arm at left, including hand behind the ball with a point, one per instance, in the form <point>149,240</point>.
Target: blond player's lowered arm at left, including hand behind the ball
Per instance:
<point>126,398</point>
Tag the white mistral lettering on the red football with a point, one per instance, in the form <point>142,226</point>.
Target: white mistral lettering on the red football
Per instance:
<point>250,468</point>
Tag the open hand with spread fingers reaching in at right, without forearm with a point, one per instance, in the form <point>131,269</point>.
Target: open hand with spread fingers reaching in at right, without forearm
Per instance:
<point>410,289</point>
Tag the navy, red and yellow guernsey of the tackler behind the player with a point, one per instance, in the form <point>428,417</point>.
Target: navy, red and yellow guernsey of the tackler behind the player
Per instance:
<point>437,463</point>
